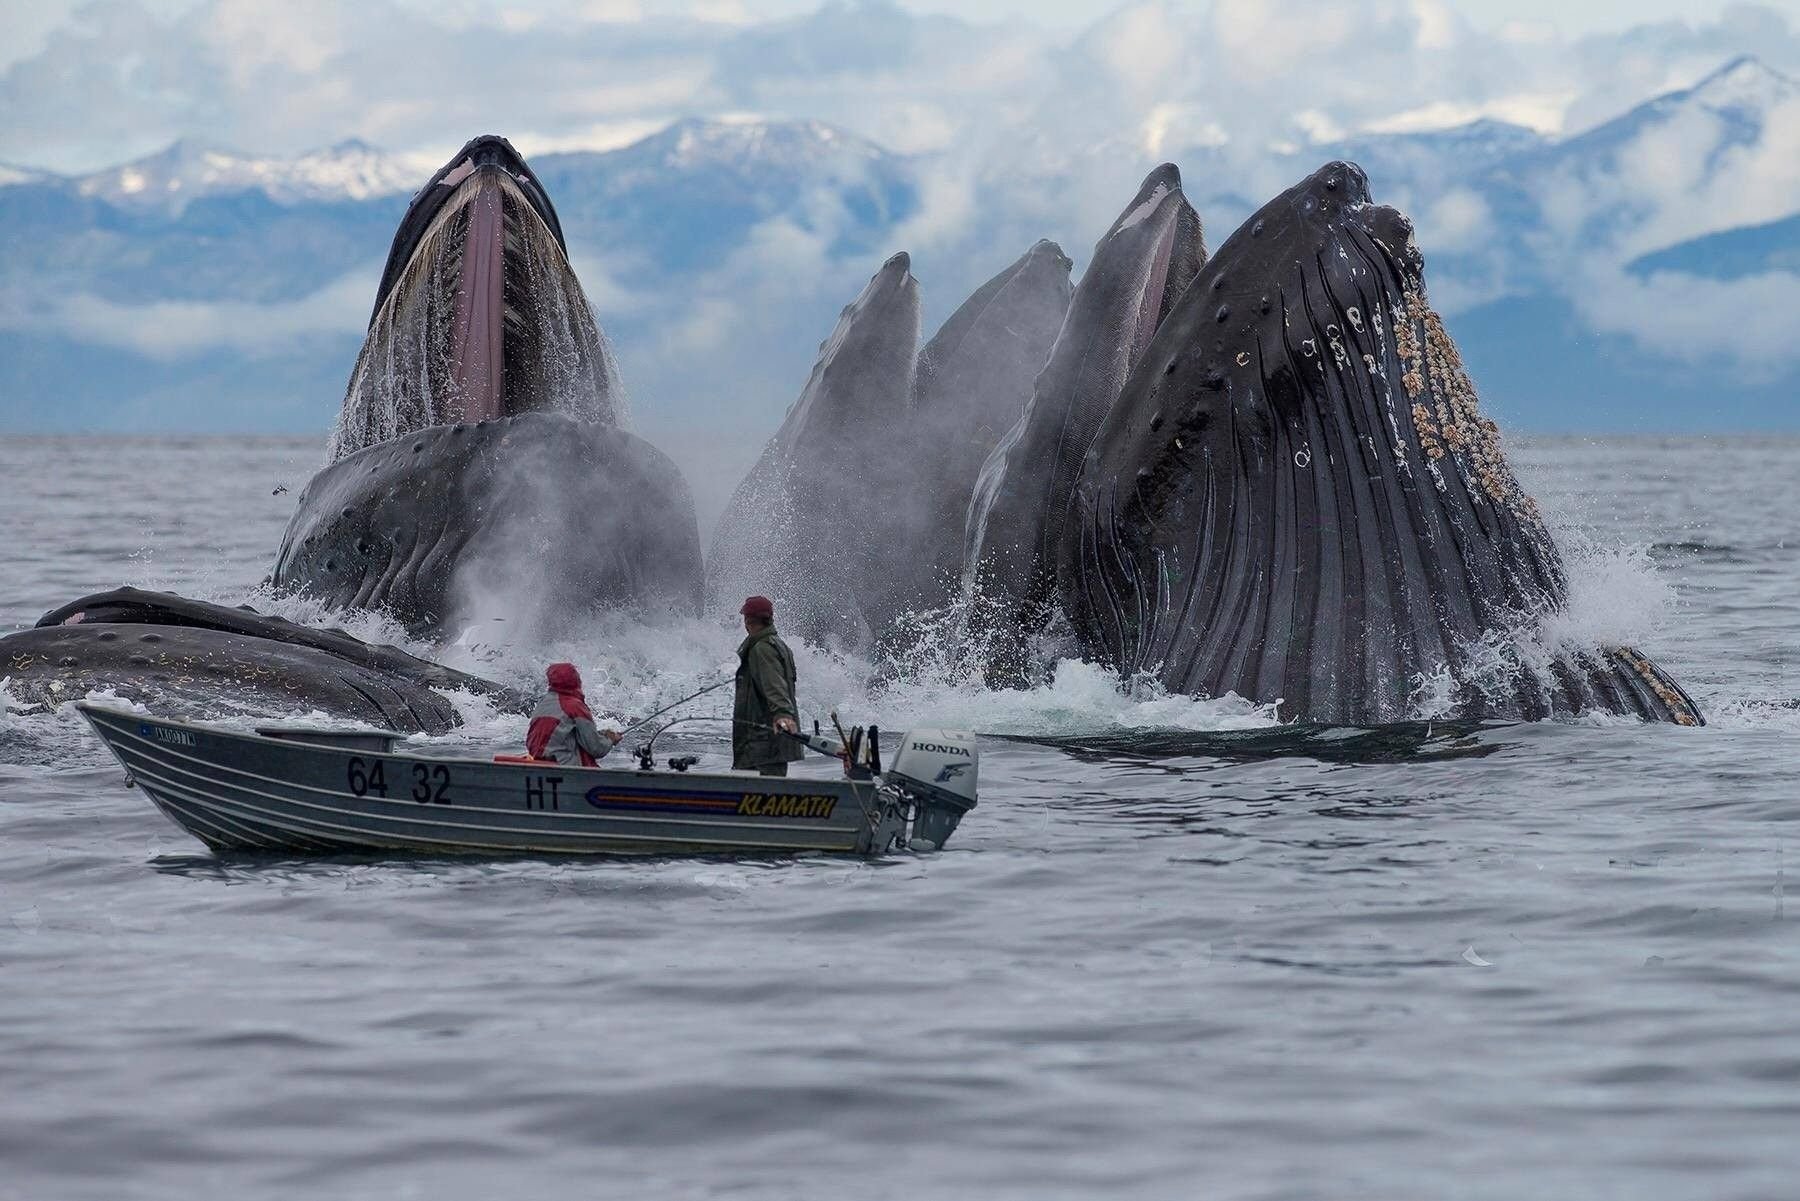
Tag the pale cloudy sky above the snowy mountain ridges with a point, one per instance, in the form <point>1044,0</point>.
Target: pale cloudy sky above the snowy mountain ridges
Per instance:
<point>93,84</point>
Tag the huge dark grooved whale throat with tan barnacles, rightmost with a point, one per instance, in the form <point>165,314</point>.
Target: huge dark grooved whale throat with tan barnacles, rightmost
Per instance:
<point>1299,500</point>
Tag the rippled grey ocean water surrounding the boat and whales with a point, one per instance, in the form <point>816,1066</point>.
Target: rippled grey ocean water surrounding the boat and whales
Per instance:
<point>1174,953</point>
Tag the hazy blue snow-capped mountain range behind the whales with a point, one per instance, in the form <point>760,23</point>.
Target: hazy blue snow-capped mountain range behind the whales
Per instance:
<point>721,251</point>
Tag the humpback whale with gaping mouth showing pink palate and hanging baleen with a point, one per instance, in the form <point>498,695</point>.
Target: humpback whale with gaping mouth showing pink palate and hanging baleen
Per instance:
<point>480,438</point>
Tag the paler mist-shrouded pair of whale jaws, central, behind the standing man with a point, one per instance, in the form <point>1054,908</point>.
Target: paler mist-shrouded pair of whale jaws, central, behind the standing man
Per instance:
<point>877,458</point>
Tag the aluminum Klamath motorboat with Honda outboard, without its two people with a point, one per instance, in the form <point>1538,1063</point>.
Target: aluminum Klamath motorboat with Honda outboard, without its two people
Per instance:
<point>352,791</point>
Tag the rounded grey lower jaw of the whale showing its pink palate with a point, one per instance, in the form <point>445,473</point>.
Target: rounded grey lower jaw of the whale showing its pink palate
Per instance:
<point>541,521</point>
